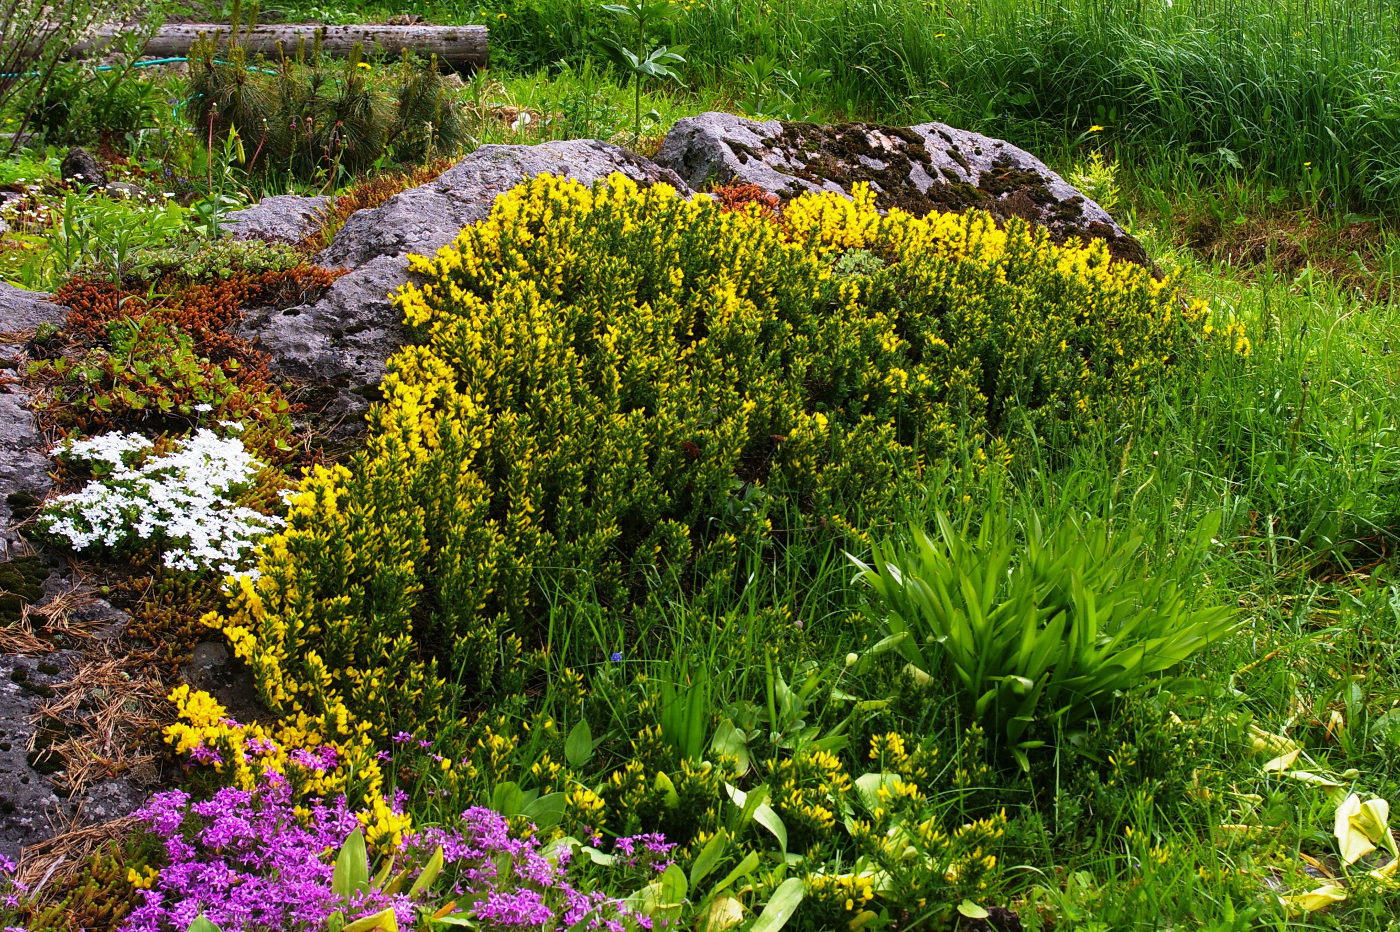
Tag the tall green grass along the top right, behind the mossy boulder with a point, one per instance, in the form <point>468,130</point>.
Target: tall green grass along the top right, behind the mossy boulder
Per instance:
<point>1303,93</point>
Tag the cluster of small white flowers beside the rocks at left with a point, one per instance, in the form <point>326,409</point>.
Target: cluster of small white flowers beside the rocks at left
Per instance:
<point>183,500</point>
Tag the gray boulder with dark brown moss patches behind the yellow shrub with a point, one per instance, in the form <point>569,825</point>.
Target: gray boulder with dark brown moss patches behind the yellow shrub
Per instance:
<point>922,169</point>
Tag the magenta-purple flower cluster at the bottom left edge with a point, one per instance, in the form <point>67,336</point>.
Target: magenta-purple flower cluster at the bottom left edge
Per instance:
<point>248,863</point>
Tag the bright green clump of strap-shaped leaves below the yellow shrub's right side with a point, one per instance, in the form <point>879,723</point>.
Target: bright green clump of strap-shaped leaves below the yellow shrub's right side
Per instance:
<point>1042,633</point>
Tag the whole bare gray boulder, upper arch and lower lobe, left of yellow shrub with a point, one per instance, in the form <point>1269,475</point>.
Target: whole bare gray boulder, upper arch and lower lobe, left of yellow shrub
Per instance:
<point>338,346</point>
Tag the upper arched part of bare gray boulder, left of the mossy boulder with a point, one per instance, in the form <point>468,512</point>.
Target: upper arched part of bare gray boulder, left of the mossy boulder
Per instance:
<point>423,220</point>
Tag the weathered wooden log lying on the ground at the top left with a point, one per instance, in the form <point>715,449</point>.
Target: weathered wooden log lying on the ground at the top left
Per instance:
<point>463,48</point>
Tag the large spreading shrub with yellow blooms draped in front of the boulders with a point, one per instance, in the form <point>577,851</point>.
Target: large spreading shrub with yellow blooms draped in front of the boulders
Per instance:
<point>618,394</point>
